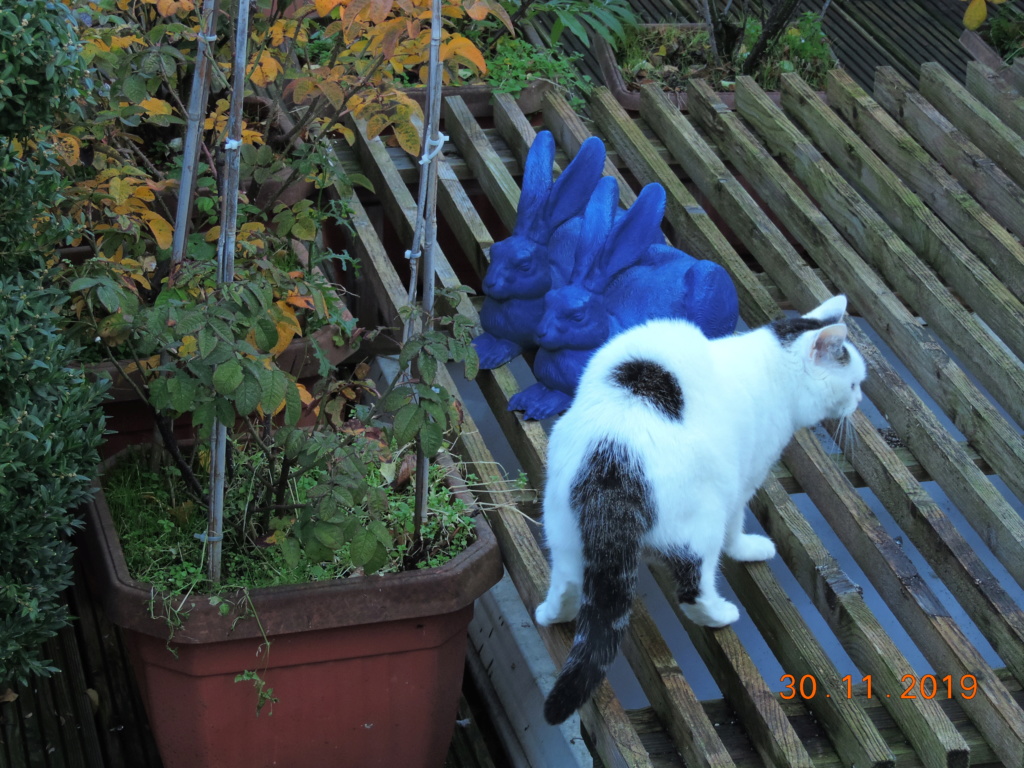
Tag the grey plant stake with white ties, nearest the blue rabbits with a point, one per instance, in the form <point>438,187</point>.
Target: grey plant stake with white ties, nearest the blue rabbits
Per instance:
<point>425,236</point>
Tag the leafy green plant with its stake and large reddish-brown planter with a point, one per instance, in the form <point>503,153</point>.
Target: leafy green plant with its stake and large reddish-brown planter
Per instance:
<point>355,663</point>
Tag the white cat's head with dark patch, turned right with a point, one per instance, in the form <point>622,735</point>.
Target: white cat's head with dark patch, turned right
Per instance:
<point>832,368</point>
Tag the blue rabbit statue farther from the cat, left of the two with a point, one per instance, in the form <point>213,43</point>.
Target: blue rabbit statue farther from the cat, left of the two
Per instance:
<point>522,273</point>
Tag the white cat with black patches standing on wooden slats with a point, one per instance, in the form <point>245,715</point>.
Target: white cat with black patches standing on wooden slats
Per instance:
<point>669,437</point>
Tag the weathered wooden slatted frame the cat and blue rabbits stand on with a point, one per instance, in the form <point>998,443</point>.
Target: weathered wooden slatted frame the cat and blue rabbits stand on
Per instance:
<point>907,204</point>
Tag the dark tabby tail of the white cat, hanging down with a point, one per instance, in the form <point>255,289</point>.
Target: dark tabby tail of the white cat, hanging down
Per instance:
<point>616,509</point>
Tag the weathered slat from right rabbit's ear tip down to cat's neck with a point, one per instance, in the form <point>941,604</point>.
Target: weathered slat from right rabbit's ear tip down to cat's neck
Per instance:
<point>696,232</point>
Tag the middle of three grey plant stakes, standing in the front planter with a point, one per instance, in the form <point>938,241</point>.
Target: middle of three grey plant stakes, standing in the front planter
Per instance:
<point>226,274</point>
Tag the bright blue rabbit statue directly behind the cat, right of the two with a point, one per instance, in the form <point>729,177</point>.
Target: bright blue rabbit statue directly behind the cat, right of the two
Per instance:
<point>624,275</point>
